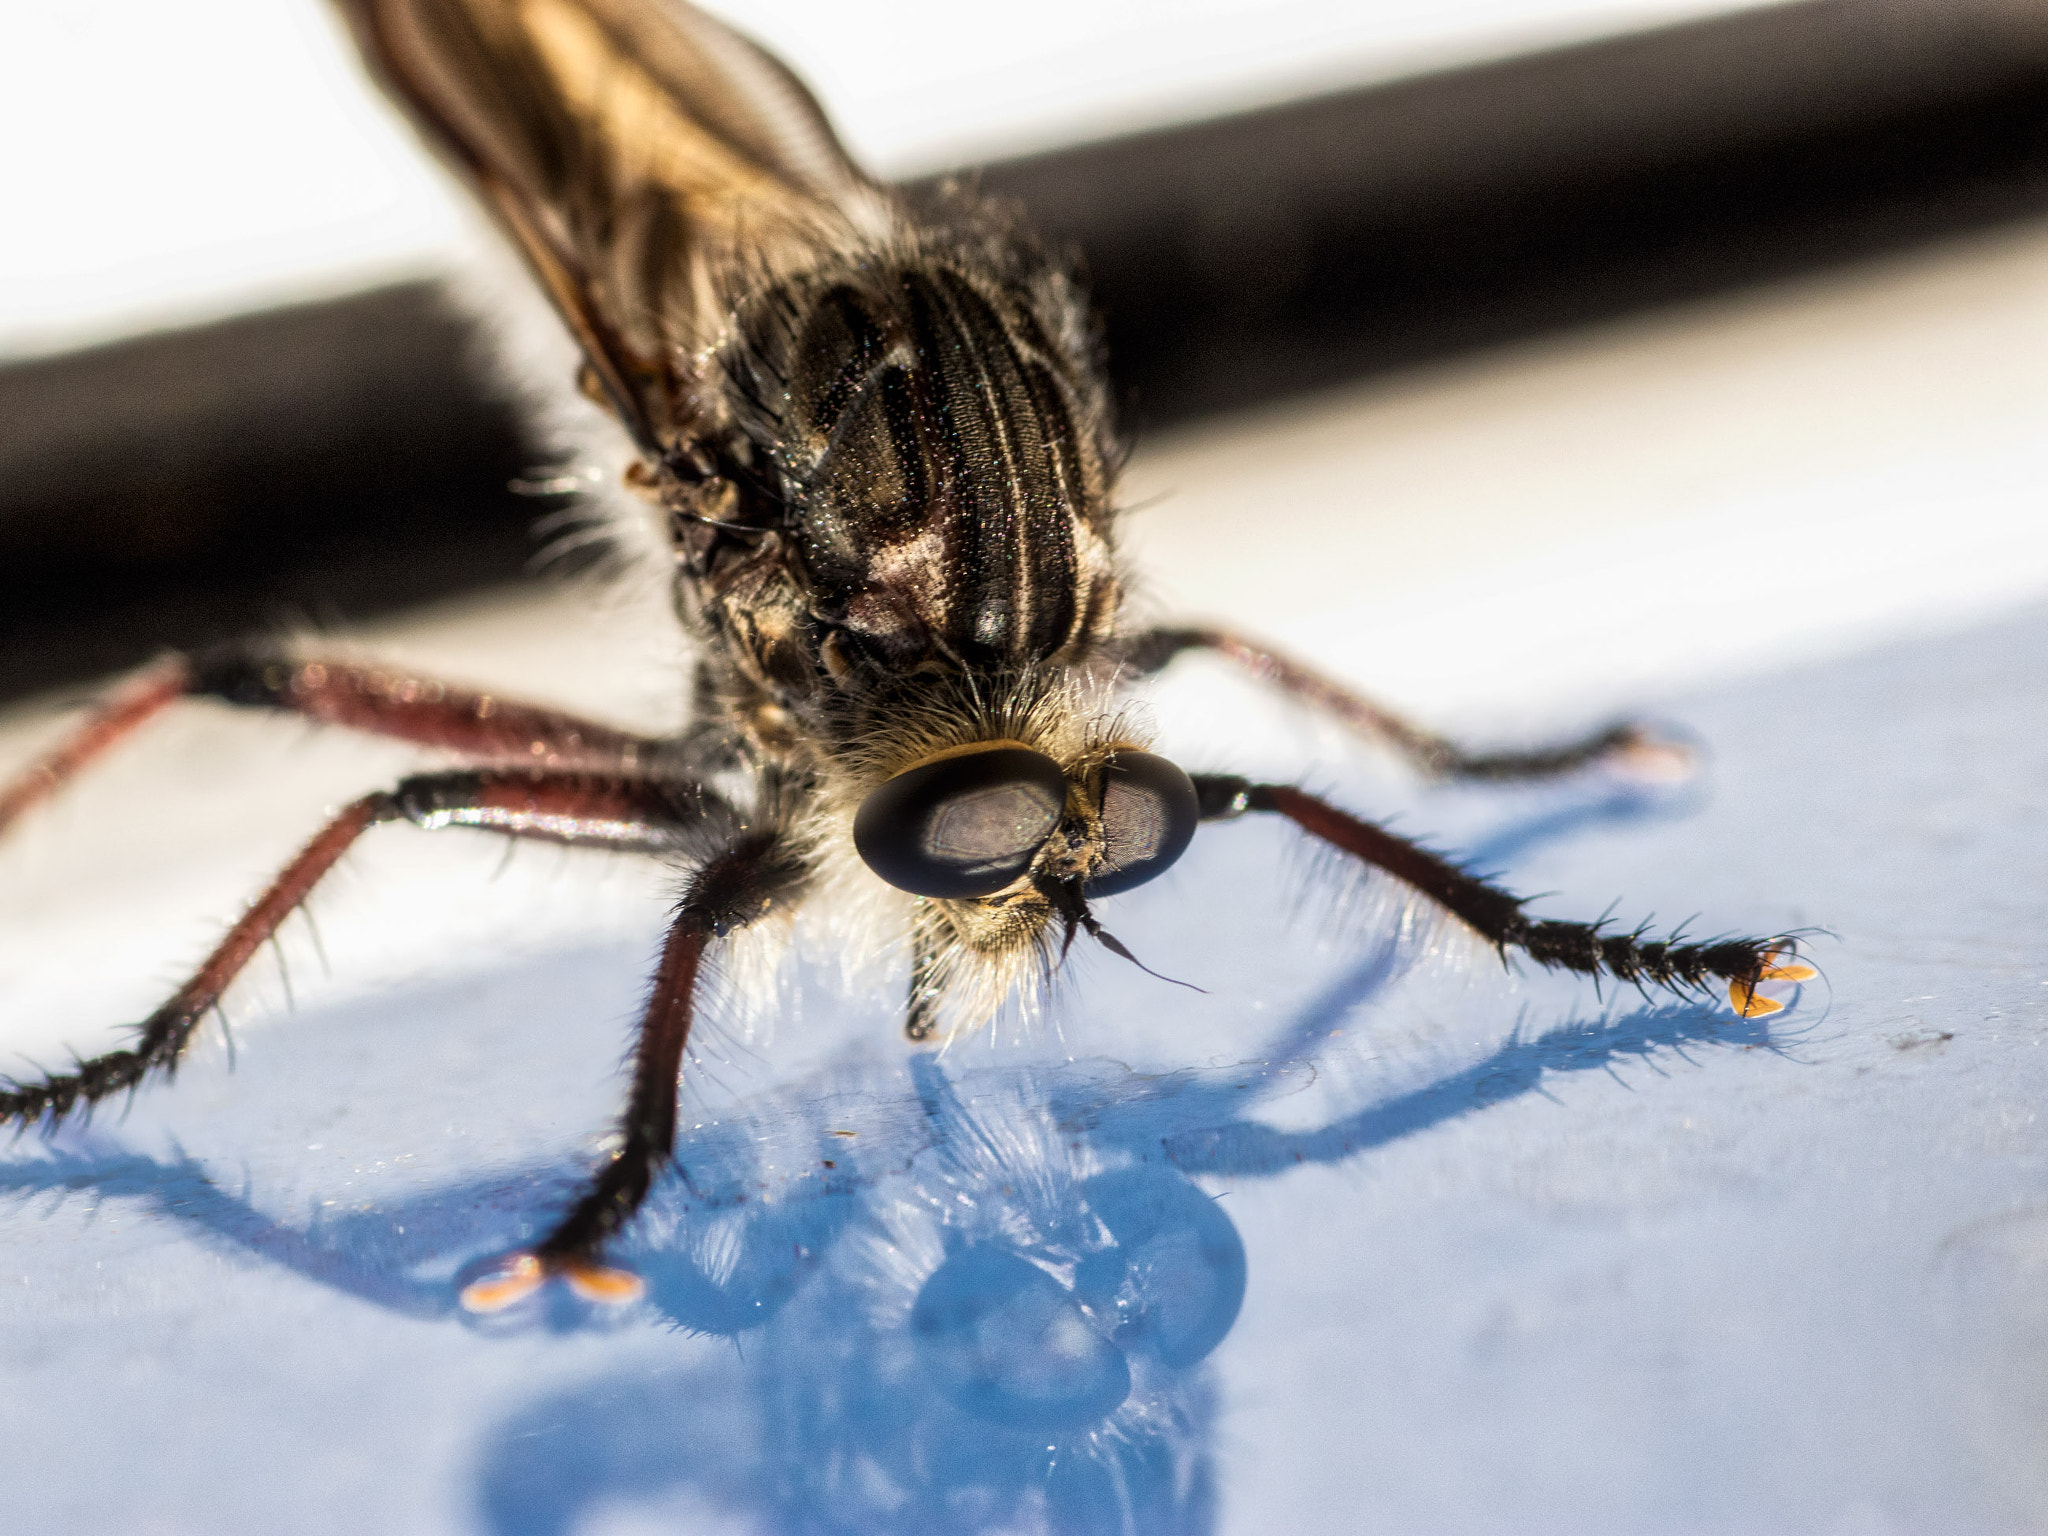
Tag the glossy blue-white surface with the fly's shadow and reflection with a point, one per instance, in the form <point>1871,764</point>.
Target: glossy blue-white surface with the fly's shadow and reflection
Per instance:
<point>1514,1258</point>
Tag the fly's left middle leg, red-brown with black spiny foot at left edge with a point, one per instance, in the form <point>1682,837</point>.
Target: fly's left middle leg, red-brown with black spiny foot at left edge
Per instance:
<point>626,814</point>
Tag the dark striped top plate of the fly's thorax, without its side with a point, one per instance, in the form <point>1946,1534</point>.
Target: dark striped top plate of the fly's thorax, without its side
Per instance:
<point>941,454</point>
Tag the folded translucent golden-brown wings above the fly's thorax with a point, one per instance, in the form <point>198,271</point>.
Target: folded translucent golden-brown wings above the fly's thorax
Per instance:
<point>636,151</point>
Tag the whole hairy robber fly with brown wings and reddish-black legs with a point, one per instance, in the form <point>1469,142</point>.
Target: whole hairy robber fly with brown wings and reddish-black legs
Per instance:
<point>876,437</point>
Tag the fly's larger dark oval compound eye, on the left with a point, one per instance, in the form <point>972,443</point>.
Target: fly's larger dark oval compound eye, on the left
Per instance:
<point>962,826</point>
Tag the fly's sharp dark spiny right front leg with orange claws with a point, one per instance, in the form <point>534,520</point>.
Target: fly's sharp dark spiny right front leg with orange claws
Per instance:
<point>1738,964</point>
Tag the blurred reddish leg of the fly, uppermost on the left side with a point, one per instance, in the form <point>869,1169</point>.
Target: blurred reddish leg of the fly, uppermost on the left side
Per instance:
<point>478,728</point>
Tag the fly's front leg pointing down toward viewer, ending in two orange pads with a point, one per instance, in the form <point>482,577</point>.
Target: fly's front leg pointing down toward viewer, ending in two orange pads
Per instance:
<point>746,880</point>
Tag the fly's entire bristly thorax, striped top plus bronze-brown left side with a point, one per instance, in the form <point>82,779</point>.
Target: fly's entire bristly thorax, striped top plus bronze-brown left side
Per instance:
<point>900,470</point>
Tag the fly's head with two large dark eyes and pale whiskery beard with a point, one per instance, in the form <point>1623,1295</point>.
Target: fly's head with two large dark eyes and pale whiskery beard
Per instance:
<point>1009,835</point>
